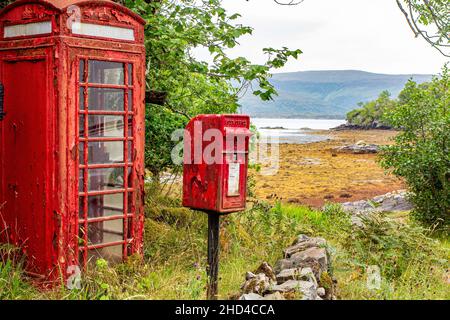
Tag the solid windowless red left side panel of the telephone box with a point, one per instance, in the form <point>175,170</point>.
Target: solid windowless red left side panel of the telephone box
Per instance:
<point>23,157</point>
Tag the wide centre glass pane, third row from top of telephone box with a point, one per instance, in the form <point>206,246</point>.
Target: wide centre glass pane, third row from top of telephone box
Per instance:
<point>106,126</point>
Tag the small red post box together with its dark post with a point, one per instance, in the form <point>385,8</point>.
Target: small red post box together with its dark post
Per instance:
<point>215,175</point>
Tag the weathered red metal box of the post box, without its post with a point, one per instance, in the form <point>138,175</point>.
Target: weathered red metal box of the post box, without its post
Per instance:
<point>206,184</point>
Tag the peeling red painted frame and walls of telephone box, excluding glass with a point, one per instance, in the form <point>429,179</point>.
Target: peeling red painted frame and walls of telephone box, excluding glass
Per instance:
<point>39,136</point>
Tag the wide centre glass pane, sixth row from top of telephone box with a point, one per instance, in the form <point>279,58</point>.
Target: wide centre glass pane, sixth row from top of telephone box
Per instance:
<point>105,205</point>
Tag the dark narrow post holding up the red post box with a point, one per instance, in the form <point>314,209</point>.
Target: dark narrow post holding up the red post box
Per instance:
<point>213,254</point>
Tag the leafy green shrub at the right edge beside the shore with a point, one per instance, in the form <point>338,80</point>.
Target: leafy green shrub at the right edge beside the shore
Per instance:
<point>421,153</point>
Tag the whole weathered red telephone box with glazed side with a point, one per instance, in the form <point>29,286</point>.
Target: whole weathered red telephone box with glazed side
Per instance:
<point>72,132</point>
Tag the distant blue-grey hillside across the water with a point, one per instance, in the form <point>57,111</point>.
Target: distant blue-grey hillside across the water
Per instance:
<point>324,94</point>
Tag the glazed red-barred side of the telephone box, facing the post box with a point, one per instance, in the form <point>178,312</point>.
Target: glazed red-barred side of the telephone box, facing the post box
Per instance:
<point>106,146</point>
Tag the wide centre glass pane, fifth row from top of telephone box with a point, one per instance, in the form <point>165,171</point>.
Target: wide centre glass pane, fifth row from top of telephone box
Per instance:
<point>106,179</point>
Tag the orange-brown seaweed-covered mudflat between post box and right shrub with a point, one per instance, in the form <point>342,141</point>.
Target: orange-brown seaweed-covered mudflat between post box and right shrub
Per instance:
<point>313,173</point>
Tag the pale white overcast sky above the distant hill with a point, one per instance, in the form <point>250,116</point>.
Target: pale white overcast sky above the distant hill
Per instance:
<point>369,35</point>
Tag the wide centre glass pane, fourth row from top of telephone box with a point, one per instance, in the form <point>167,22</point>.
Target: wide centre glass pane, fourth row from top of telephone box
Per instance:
<point>104,152</point>
